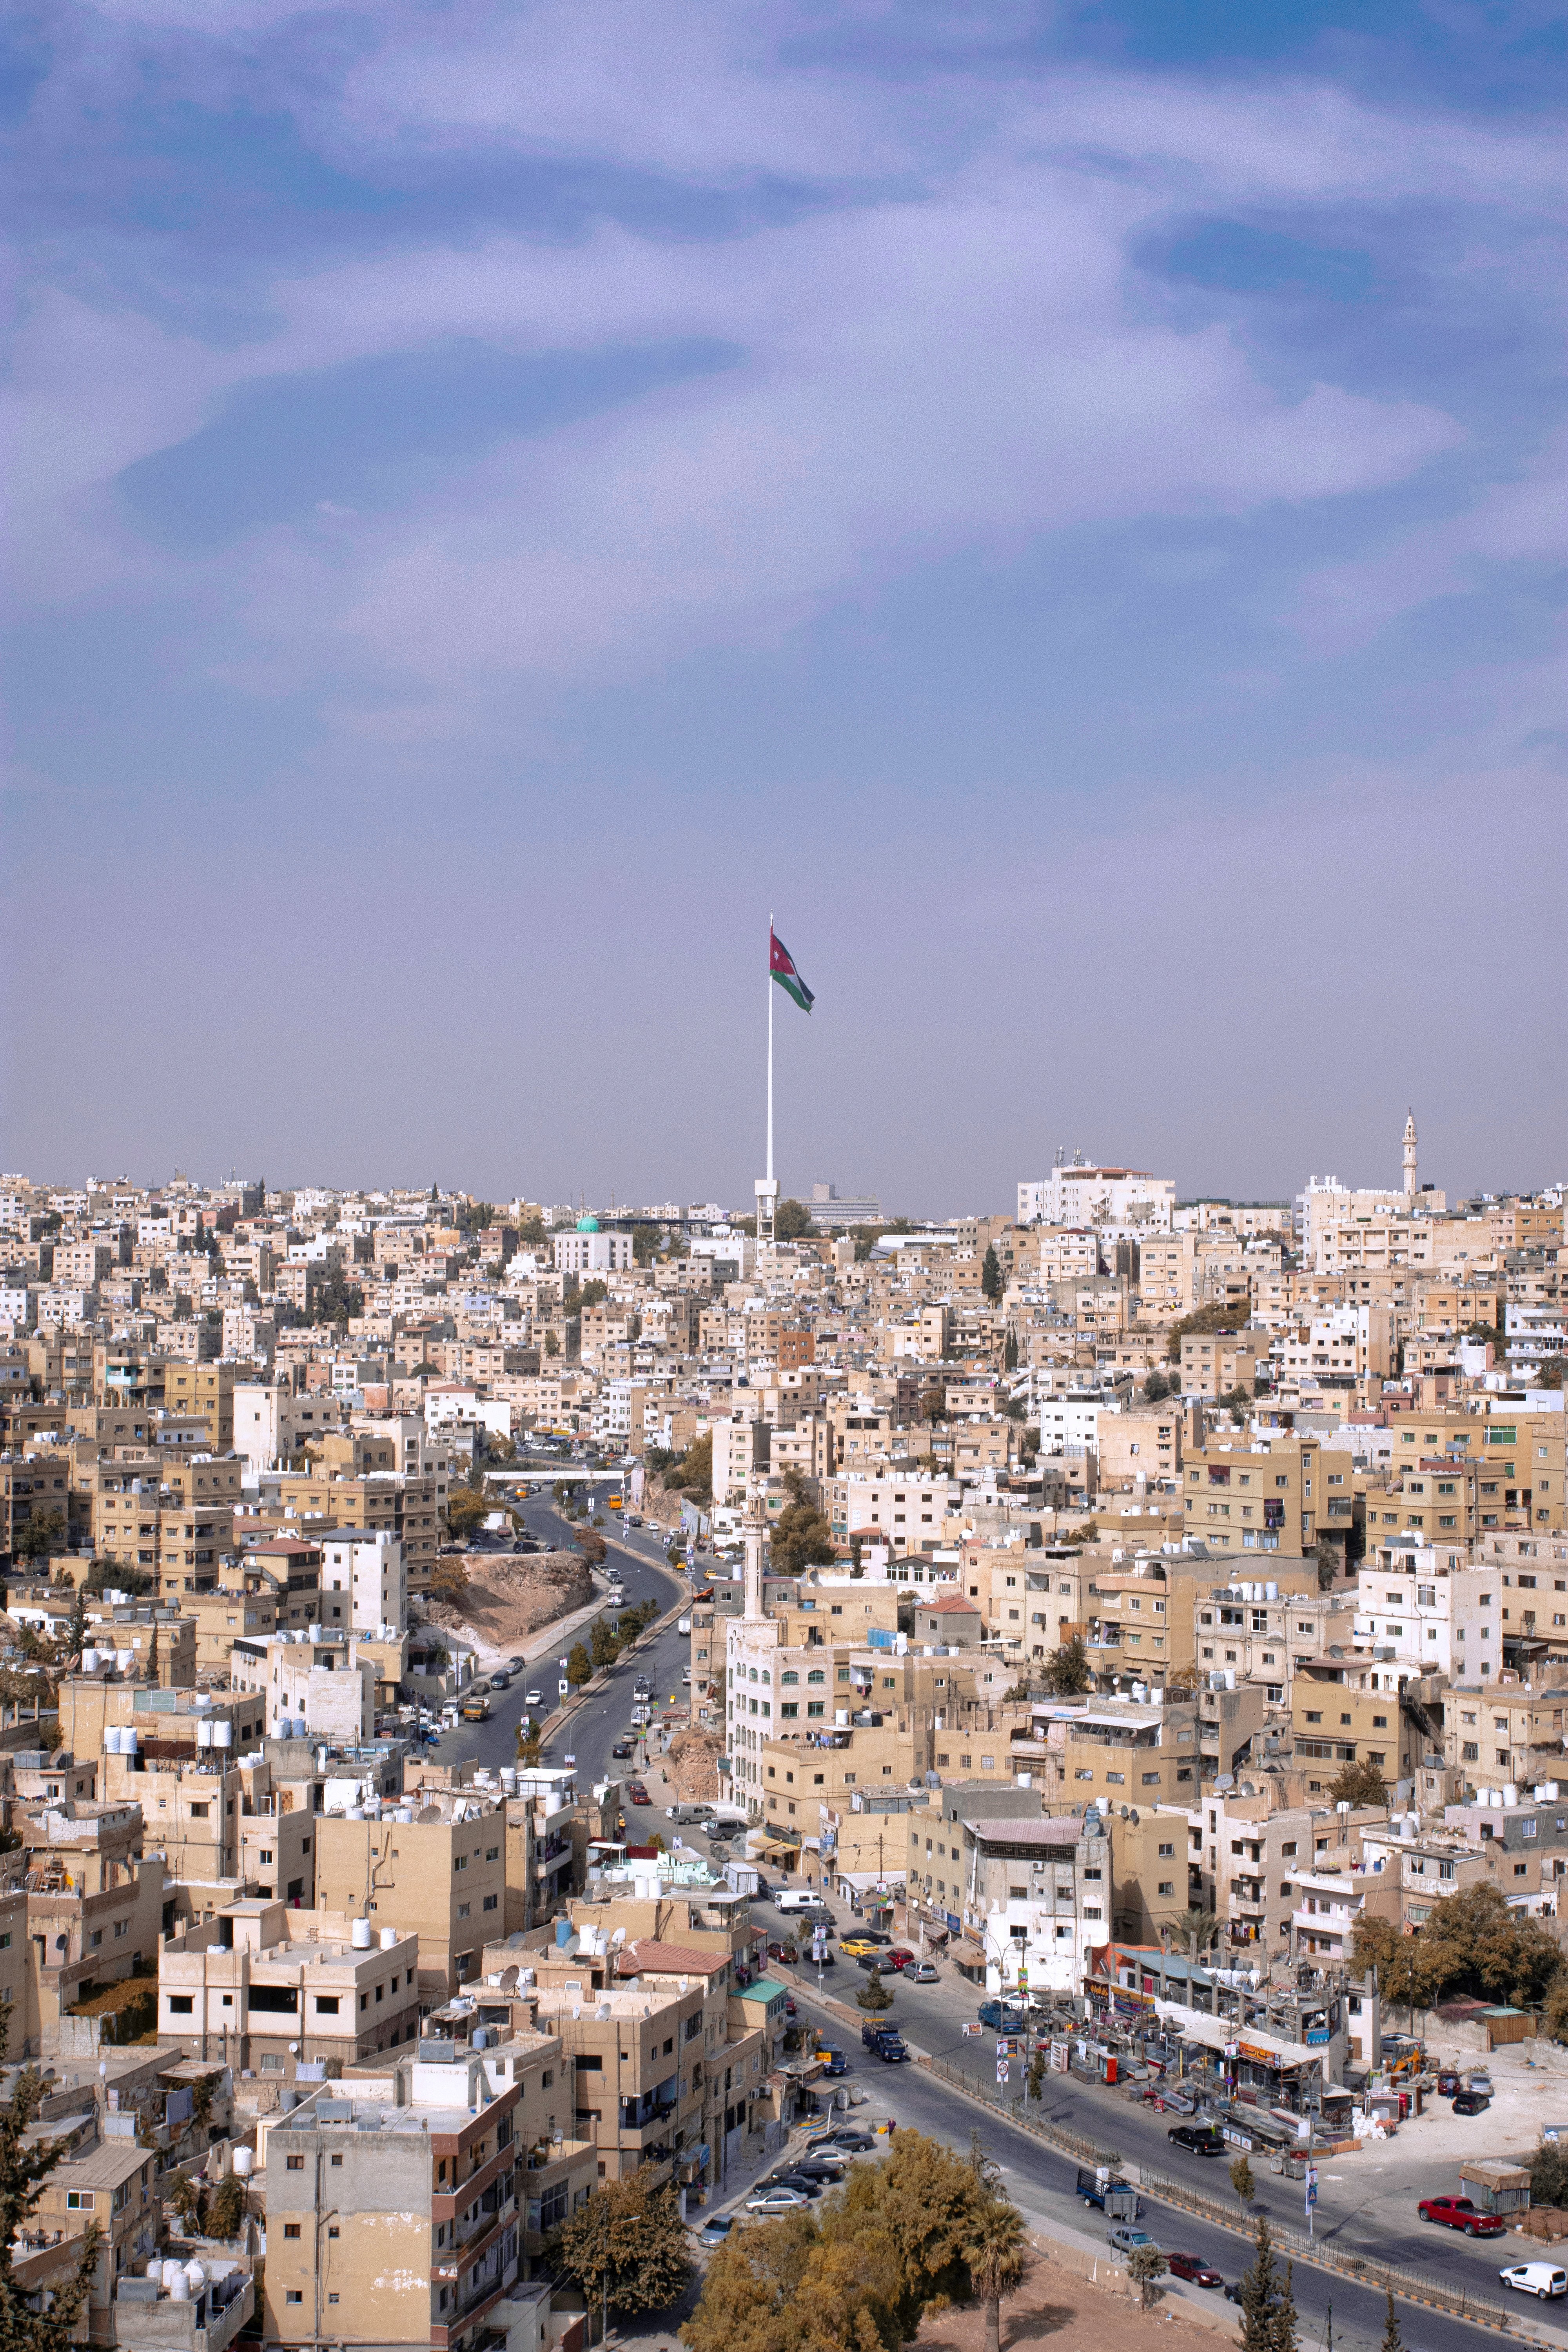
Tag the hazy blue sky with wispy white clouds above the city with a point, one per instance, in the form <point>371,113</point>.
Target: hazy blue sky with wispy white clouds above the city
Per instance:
<point>1066,507</point>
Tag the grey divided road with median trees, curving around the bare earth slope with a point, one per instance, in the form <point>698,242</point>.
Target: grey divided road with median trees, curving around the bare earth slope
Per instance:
<point>601,1723</point>
